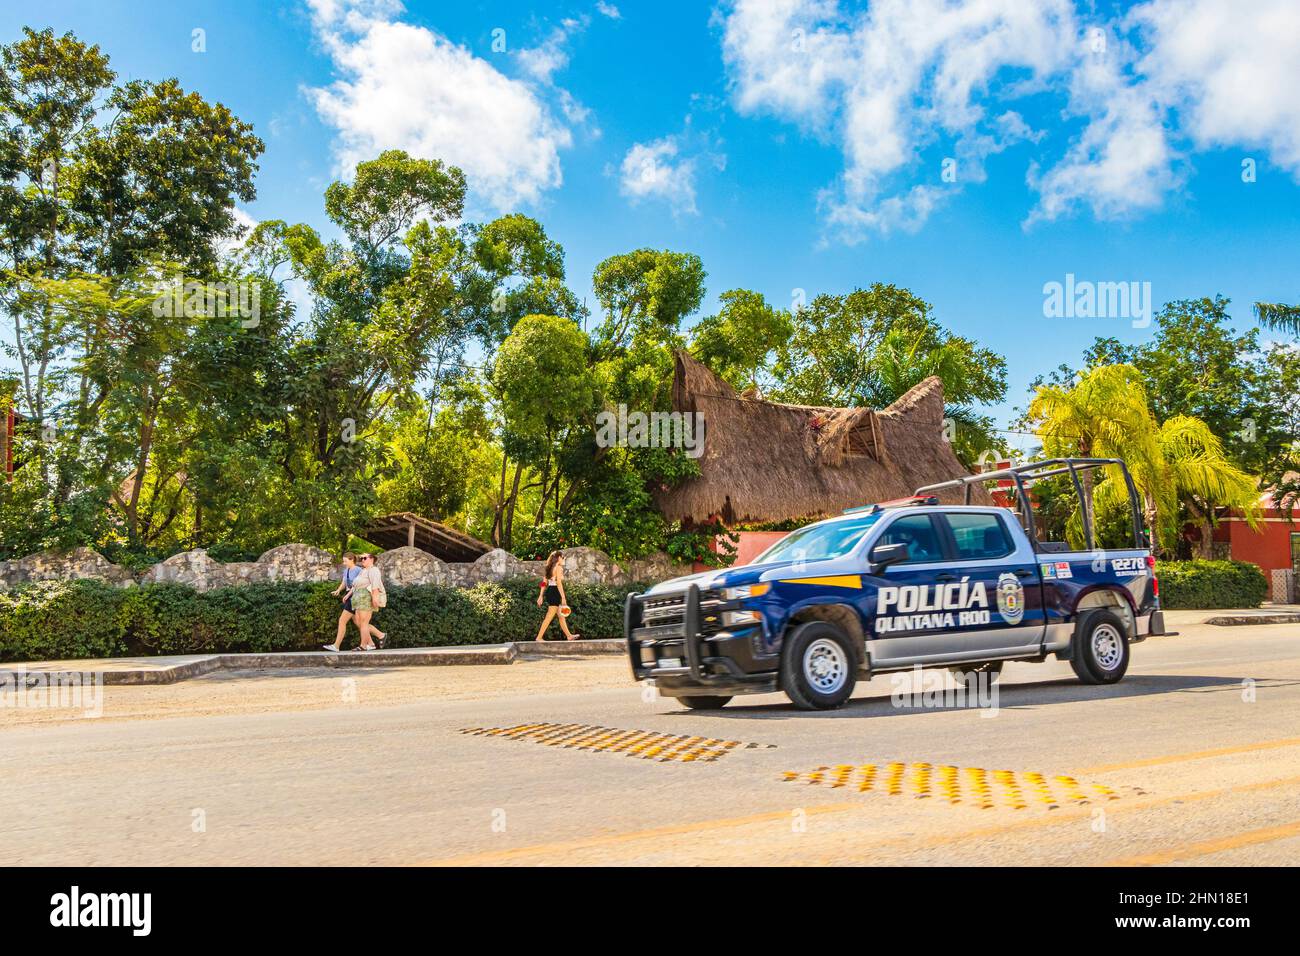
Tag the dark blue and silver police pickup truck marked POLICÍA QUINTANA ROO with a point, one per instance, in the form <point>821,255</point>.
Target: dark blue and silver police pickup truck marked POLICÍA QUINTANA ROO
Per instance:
<point>899,585</point>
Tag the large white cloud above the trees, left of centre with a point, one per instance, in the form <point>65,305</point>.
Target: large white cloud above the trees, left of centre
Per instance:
<point>404,86</point>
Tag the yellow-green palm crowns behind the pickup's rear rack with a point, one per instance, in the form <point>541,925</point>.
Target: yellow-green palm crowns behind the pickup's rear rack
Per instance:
<point>1106,414</point>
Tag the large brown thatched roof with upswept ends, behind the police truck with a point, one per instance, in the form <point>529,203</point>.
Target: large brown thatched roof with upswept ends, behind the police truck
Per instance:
<point>772,462</point>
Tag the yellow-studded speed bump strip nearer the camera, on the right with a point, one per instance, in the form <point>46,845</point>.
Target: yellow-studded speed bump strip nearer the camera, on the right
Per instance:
<point>960,786</point>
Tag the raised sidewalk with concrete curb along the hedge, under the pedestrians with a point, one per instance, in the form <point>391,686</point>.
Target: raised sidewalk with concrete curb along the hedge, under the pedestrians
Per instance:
<point>170,671</point>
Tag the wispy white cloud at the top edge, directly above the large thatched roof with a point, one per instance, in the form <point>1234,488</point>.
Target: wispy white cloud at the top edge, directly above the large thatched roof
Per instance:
<point>890,81</point>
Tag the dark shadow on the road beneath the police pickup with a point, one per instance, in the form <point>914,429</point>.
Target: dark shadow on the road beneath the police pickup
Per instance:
<point>1009,697</point>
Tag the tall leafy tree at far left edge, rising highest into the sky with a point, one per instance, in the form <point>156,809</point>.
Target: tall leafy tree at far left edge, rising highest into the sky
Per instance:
<point>103,192</point>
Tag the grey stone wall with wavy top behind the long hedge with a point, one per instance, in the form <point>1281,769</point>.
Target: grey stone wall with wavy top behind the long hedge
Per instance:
<point>306,564</point>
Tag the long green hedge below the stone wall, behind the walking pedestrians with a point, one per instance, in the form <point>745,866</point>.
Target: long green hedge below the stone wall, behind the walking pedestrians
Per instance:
<point>71,620</point>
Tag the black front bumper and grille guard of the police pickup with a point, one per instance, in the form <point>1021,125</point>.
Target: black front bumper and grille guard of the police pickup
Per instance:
<point>677,641</point>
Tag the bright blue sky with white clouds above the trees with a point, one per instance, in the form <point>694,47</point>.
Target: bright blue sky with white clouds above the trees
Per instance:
<point>795,145</point>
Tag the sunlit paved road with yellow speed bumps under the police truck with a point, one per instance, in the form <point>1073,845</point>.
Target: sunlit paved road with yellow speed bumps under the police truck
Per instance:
<point>1194,759</point>
